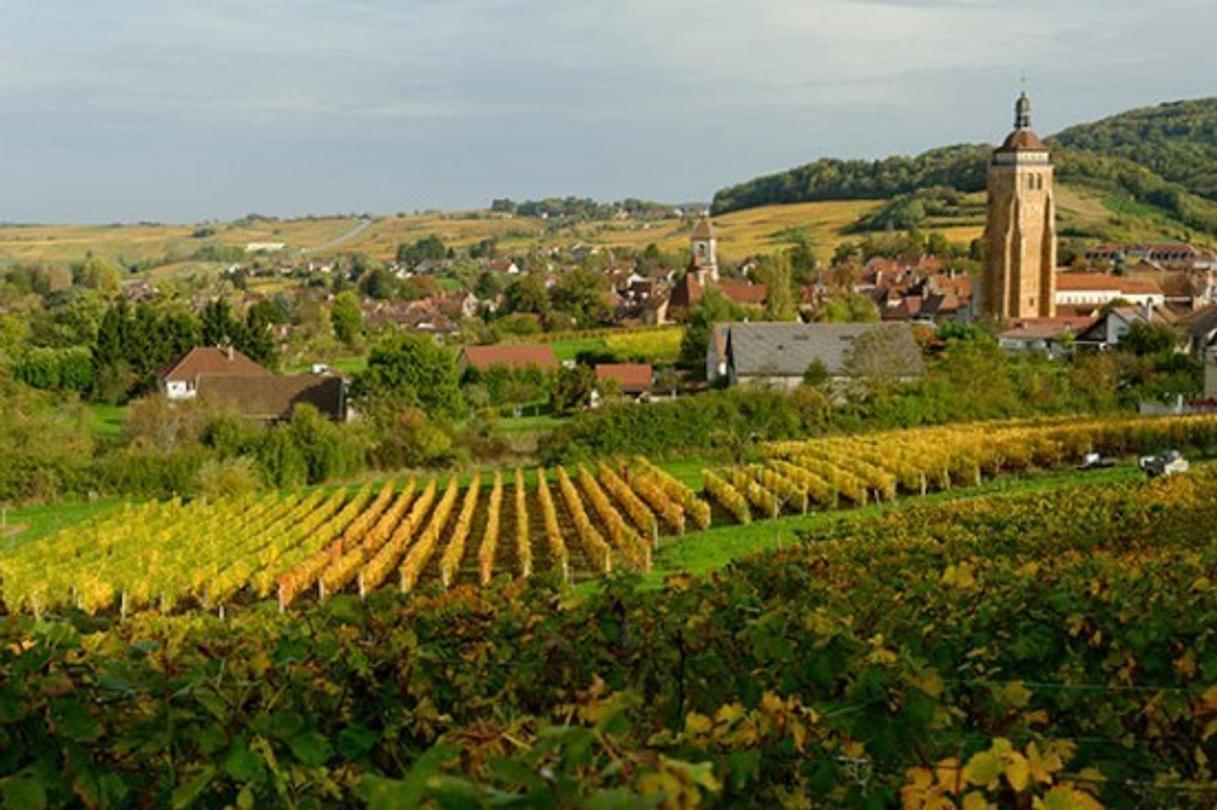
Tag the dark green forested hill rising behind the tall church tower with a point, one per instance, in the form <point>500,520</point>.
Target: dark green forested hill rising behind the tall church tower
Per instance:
<point>1163,157</point>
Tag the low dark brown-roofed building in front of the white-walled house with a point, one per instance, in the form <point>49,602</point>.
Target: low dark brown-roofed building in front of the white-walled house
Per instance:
<point>272,398</point>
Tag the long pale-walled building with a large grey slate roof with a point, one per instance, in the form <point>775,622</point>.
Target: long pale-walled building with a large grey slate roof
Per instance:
<point>781,355</point>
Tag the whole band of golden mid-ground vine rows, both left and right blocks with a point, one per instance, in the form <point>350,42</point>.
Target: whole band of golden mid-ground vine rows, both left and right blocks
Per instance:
<point>575,524</point>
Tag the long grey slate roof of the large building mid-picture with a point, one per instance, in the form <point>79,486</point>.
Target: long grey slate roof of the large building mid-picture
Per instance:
<point>788,350</point>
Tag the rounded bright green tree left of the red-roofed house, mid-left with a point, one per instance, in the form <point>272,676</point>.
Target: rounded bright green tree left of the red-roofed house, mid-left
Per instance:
<point>411,370</point>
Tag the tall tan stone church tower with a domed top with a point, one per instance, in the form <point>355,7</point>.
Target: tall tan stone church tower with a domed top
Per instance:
<point>1020,232</point>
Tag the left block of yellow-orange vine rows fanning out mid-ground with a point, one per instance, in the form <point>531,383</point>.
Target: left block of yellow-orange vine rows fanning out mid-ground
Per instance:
<point>171,556</point>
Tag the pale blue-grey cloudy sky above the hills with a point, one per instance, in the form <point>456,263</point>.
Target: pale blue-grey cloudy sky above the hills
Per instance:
<point>193,110</point>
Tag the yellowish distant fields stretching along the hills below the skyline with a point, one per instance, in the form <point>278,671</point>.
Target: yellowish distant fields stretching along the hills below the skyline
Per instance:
<point>742,234</point>
